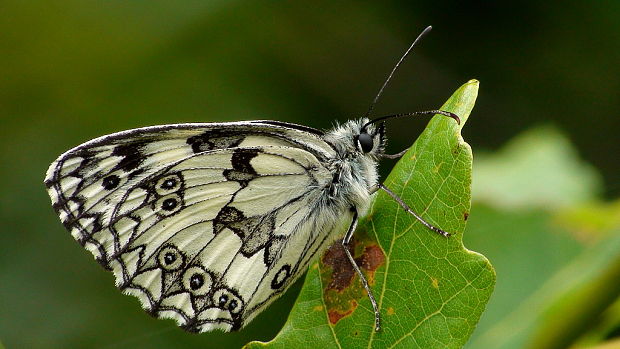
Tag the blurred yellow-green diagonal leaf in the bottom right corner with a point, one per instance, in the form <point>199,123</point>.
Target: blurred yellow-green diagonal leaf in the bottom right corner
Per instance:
<point>566,306</point>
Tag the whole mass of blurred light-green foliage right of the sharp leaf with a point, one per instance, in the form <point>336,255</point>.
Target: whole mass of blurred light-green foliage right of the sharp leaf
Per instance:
<point>557,256</point>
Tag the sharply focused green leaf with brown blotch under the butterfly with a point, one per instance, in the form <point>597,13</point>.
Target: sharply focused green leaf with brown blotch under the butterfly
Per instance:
<point>430,289</point>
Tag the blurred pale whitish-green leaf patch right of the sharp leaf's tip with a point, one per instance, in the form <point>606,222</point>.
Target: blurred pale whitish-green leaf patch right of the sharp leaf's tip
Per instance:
<point>538,168</point>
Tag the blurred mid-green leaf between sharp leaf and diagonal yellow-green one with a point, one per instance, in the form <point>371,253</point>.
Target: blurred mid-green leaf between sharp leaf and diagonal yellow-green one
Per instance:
<point>527,249</point>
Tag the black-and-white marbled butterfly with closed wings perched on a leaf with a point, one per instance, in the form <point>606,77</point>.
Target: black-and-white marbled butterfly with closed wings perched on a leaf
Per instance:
<point>208,223</point>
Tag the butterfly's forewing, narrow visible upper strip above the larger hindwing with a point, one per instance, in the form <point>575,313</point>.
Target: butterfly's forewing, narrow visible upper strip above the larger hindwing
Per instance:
<point>88,181</point>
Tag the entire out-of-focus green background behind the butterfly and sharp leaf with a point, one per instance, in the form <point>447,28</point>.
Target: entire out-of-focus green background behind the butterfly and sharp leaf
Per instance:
<point>544,134</point>
